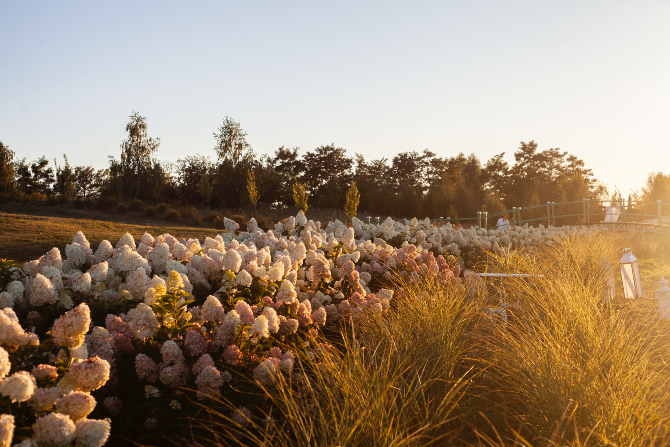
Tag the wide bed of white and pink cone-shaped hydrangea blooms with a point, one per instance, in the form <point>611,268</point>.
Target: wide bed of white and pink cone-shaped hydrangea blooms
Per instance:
<point>139,324</point>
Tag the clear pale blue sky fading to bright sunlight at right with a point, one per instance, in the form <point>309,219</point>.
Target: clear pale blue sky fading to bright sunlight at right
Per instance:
<point>376,78</point>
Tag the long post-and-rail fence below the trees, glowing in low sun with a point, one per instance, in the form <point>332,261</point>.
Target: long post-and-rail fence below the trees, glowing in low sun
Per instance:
<point>585,211</point>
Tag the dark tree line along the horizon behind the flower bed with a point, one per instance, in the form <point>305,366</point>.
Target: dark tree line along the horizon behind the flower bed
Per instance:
<point>407,185</point>
